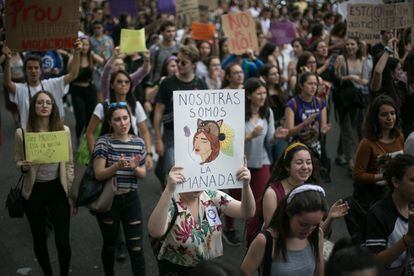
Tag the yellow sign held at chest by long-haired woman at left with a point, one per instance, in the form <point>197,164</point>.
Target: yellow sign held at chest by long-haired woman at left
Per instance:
<point>47,147</point>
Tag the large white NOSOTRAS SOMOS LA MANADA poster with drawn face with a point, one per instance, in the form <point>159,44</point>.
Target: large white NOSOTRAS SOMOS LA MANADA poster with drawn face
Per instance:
<point>209,138</point>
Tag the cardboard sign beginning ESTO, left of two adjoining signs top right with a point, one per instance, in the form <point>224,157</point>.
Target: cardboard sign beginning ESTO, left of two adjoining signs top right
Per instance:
<point>359,23</point>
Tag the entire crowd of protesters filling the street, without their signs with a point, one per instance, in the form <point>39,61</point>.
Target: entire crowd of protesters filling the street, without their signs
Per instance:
<point>123,108</point>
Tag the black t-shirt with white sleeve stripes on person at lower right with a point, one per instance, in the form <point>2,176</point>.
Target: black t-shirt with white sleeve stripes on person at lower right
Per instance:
<point>385,227</point>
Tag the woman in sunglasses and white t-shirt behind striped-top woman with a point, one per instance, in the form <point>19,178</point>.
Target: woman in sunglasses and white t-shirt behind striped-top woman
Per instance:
<point>121,91</point>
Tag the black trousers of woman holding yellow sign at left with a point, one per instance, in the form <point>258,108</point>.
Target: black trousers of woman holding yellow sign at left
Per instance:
<point>50,196</point>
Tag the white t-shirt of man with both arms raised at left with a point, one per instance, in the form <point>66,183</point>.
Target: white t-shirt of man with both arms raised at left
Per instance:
<point>55,86</point>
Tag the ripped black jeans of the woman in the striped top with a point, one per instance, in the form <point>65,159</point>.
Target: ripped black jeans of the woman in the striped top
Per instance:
<point>126,208</point>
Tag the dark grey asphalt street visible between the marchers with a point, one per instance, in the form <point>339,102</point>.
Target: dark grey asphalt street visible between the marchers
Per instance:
<point>16,243</point>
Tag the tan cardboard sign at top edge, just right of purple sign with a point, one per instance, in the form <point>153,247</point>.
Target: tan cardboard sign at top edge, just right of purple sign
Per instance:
<point>186,12</point>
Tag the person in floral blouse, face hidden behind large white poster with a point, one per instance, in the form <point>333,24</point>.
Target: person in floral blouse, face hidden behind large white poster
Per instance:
<point>196,232</point>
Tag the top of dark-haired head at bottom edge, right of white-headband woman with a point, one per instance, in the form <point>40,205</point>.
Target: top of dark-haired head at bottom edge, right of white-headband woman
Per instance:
<point>349,259</point>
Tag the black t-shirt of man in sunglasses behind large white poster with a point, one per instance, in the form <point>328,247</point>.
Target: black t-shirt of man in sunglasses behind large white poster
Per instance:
<point>165,95</point>
